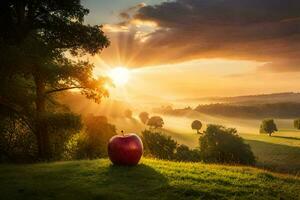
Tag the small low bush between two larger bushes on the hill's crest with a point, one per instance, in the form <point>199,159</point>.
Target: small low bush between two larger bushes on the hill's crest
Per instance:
<point>184,153</point>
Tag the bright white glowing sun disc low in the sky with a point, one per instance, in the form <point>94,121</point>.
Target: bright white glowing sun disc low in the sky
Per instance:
<point>119,75</point>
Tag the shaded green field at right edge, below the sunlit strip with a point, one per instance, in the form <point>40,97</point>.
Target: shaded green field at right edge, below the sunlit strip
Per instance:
<point>276,157</point>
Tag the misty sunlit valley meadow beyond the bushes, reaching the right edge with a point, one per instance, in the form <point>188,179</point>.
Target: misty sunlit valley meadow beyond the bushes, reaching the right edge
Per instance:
<point>279,153</point>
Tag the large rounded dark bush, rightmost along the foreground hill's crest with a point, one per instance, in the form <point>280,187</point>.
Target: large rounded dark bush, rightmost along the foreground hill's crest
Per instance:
<point>223,145</point>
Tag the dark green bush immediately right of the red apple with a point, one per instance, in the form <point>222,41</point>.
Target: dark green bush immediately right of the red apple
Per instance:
<point>159,145</point>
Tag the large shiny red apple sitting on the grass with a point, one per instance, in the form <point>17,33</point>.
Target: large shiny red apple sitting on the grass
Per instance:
<point>125,149</point>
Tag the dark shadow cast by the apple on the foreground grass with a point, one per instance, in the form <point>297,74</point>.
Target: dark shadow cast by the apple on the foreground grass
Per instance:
<point>143,182</point>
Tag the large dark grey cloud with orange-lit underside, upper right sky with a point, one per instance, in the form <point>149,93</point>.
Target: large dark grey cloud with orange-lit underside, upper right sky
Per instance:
<point>261,30</point>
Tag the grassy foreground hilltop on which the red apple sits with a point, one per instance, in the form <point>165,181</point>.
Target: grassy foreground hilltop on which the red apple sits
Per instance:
<point>152,179</point>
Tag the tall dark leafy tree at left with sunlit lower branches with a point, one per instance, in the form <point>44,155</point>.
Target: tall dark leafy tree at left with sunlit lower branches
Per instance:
<point>35,44</point>
